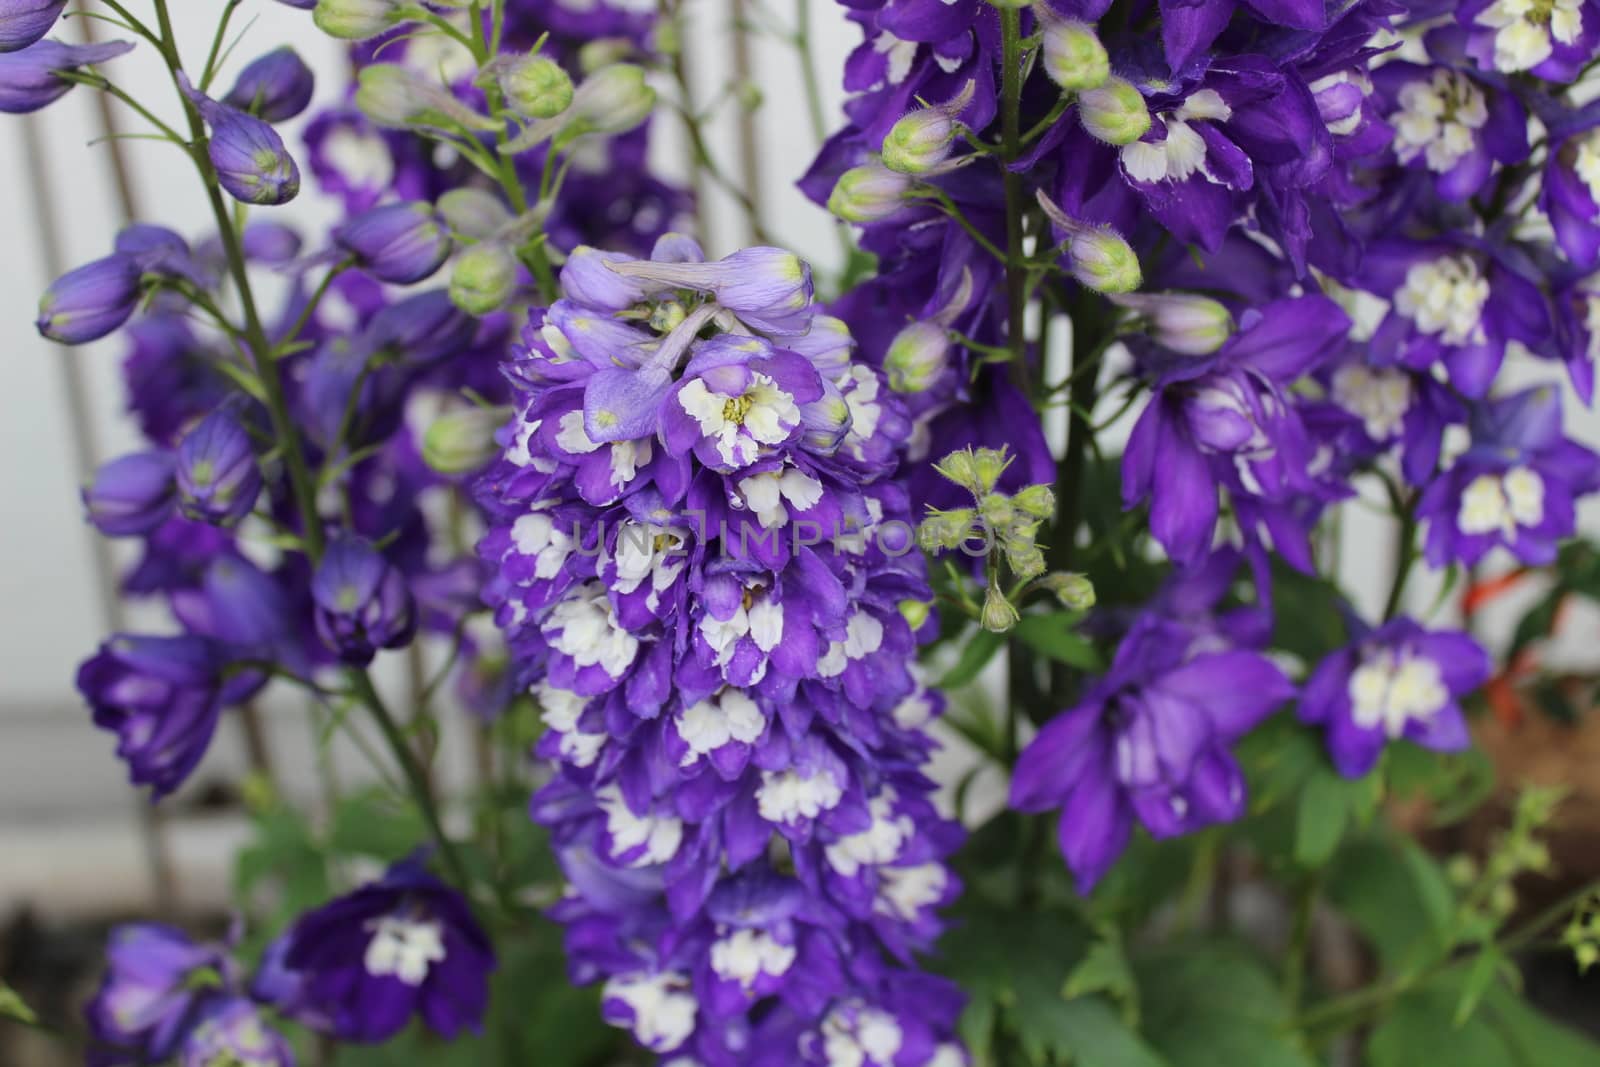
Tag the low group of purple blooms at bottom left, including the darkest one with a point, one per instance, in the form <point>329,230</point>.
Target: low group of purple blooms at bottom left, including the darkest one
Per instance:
<point>358,969</point>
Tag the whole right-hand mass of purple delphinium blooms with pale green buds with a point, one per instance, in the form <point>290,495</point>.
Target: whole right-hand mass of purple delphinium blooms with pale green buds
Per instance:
<point>1300,228</point>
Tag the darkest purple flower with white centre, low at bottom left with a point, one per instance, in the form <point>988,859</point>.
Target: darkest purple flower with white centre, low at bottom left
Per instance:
<point>402,946</point>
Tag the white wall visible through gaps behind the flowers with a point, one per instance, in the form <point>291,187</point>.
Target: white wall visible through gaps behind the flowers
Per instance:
<point>68,820</point>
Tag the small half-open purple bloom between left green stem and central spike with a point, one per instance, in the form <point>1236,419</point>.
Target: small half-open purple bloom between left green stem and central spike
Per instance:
<point>362,602</point>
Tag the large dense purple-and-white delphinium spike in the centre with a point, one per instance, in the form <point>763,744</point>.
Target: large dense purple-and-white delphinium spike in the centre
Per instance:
<point>687,577</point>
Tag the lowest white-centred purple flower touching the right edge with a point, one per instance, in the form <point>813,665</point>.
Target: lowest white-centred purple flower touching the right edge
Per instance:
<point>1514,487</point>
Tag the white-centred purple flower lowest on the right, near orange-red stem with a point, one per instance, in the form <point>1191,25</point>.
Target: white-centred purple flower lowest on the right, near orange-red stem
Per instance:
<point>1398,682</point>
